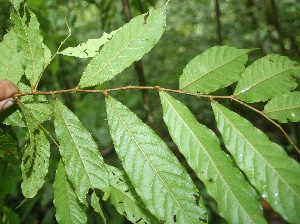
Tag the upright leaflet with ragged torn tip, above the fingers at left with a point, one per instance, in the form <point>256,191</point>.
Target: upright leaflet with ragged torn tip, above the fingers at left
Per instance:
<point>31,43</point>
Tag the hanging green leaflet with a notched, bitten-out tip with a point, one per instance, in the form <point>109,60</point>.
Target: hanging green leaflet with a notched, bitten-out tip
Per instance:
<point>83,162</point>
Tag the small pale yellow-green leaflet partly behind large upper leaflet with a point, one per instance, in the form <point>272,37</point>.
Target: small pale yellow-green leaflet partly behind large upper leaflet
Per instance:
<point>90,48</point>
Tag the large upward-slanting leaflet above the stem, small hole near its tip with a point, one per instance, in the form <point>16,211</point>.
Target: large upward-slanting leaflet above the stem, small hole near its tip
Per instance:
<point>128,45</point>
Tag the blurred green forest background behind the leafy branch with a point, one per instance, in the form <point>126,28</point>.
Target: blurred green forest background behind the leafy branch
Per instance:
<point>192,27</point>
